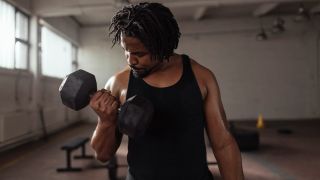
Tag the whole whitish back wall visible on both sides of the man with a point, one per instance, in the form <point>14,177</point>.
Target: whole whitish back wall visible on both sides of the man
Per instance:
<point>278,77</point>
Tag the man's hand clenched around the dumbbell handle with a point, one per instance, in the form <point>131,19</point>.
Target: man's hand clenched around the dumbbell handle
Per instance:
<point>105,105</point>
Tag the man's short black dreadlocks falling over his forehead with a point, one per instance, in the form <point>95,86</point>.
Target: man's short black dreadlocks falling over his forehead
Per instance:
<point>152,23</point>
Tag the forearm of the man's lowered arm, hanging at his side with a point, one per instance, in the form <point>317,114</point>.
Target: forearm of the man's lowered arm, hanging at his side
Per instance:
<point>229,161</point>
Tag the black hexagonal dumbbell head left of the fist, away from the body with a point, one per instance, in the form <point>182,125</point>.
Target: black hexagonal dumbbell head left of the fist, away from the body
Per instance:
<point>76,88</point>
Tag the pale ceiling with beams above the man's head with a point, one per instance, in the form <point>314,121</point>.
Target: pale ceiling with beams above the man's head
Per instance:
<point>99,12</point>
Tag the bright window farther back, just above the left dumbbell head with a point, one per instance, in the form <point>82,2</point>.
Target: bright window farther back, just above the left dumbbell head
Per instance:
<point>57,54</point>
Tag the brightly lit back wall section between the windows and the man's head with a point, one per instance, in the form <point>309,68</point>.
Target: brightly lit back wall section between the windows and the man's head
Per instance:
<point>97,56</point>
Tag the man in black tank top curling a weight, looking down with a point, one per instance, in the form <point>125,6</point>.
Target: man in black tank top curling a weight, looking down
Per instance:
<point>185,96</point>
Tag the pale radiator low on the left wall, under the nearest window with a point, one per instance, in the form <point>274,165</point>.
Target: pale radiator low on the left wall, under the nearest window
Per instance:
<point>14,125</point>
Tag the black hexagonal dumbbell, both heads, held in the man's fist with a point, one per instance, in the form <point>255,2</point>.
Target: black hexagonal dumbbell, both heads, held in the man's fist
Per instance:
<point>134,115</point>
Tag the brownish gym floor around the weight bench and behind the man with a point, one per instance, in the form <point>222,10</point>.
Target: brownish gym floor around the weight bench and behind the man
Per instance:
<point>280,156</point>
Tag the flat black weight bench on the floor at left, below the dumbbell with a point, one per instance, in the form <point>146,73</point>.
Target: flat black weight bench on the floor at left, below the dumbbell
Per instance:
<point>72,145</point>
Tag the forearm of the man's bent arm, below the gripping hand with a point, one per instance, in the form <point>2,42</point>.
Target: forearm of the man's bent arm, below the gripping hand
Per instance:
<point>105,140</point>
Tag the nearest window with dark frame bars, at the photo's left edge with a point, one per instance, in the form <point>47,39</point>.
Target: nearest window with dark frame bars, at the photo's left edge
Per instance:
<point>14,46</point>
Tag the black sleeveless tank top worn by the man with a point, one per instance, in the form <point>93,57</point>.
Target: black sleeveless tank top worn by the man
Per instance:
<point>173,147</point>
